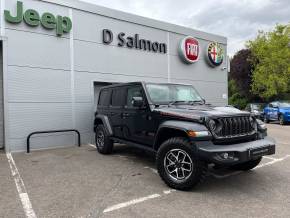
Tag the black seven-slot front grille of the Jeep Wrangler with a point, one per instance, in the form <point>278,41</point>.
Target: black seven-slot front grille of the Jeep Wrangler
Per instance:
<point>228,127</point>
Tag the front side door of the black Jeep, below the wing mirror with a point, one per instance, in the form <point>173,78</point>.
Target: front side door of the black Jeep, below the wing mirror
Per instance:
<point>138,125</point>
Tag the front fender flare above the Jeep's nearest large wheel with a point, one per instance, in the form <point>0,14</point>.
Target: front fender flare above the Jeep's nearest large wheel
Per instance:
<point>178,125</point>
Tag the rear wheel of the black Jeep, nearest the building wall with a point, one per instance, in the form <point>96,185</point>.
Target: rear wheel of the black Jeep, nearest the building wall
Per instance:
<point>107,146</point>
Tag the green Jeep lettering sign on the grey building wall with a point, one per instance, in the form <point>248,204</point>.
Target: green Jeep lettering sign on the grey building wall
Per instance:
<point>32,18</point>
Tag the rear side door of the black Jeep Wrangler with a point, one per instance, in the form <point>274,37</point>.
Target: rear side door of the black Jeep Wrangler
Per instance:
<point>116,109</point>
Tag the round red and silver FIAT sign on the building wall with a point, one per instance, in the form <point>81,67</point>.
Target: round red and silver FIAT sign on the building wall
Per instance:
<point>189,49</point>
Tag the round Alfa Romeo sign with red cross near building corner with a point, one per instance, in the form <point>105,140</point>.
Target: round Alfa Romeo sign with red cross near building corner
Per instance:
<point>215,54</point>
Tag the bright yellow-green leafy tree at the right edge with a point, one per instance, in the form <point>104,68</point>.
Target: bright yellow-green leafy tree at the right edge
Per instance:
<point>271,62</point>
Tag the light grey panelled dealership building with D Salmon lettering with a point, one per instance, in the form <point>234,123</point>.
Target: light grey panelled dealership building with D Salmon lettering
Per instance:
<point>55,55</point>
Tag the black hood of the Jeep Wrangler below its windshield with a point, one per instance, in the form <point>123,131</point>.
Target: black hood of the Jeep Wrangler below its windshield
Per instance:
<point>200,111</point>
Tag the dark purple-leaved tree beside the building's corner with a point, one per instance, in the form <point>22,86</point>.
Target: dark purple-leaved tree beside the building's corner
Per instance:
<point>241,71</point>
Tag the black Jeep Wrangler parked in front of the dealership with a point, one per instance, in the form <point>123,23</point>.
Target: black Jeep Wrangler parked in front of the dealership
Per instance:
<point>187,134</point>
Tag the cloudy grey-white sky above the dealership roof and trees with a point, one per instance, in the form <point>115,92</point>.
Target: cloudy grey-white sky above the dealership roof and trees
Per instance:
<point>238,20</point>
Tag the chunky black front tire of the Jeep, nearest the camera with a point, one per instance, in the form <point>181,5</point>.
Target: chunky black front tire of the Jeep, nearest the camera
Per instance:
<point>199,167</point>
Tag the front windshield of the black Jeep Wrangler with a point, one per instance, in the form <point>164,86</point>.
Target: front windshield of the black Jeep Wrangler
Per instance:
<point>172,93</point>
